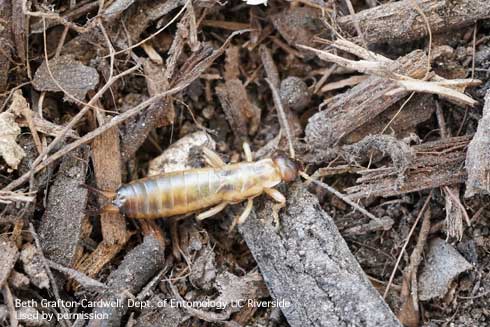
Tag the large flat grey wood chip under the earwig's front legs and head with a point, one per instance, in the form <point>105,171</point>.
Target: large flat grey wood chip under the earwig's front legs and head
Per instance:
<point>309,268</point>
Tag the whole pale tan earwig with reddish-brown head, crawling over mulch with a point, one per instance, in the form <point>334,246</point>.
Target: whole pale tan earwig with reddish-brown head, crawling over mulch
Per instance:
<point>214,187</point>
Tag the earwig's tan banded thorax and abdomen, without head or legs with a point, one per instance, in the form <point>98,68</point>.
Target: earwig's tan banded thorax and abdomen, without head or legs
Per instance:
<point>188,191</point>
